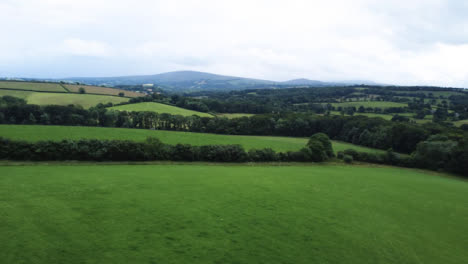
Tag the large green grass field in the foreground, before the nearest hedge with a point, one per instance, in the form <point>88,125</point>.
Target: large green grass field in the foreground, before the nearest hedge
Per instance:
<point>230,214</point>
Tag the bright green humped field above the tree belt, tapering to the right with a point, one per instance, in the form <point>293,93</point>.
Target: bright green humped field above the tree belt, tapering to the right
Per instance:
<point>159,108</point>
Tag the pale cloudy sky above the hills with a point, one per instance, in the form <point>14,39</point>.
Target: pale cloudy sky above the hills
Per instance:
<point>403,42</point>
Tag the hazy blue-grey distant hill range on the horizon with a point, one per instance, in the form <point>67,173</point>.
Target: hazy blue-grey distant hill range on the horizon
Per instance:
<point>197,81</point>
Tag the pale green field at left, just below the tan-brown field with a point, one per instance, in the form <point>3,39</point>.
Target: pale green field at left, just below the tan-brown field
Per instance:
<point>85,100</point>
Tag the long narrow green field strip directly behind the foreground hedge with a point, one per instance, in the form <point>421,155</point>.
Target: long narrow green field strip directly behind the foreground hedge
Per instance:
<point>39,132</point>
